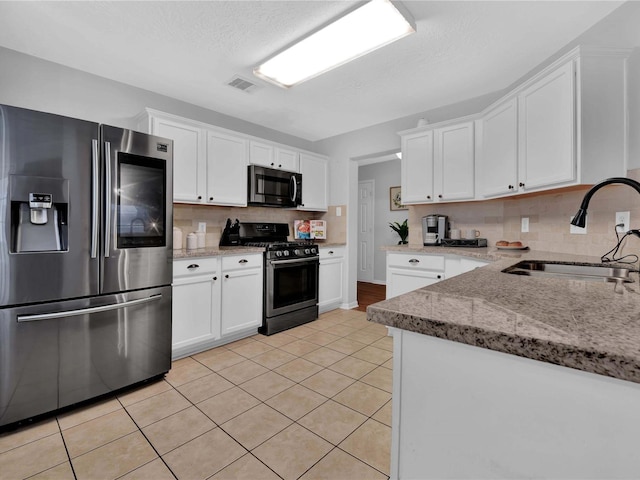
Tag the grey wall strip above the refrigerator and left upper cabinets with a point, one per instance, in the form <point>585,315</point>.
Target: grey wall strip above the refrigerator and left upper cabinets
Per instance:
<point>30,82</point>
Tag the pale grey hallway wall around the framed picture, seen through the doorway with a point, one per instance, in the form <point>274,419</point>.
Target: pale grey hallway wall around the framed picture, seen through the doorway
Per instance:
<point>385,175</point>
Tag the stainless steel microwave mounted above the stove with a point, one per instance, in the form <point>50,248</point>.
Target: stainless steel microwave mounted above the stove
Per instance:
<point>274,188</point>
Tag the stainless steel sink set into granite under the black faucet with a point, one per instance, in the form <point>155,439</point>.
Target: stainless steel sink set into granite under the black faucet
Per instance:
<point>590,272</point>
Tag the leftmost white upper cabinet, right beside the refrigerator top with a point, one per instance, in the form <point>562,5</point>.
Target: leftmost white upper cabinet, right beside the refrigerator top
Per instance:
<point>189,154</point>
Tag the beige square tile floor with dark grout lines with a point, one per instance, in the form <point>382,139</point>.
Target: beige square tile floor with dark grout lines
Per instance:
<point>313,402</point>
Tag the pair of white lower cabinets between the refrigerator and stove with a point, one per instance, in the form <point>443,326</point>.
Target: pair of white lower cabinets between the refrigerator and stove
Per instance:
<point>215,300</point>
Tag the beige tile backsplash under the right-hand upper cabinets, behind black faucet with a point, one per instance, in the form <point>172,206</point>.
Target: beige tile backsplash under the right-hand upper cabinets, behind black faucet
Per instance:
<point>549,216</point>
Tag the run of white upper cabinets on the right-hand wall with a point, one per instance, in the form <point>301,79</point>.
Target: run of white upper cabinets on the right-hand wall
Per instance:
<point>565,126</point>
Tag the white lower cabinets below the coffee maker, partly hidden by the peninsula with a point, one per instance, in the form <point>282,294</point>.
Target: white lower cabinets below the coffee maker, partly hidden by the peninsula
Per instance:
<point>409,271</point>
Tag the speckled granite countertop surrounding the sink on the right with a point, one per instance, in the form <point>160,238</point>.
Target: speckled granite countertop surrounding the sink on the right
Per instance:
<point>590,326</point>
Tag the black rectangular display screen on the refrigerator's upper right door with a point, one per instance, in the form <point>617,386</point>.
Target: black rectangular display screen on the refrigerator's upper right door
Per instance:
<point>141,204</point>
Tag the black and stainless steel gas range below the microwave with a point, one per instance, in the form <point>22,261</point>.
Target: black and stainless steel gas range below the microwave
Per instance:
<point>290,276</point>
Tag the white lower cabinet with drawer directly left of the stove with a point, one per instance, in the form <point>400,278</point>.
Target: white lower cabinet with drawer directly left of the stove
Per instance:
<point>241,293</point>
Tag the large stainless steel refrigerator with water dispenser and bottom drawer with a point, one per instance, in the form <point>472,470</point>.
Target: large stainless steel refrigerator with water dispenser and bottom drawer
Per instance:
<point>85,260</point>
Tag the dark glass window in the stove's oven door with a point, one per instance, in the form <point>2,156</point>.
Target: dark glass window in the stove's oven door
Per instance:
<point>294,283</point>
